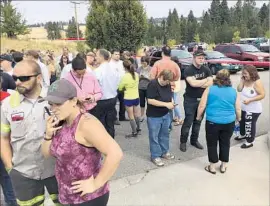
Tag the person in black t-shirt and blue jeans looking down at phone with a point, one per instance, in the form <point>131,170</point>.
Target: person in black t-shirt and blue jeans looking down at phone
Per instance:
<point>160,102</point>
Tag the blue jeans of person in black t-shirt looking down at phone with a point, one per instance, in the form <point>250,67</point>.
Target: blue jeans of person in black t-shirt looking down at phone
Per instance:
<point>158,128</point>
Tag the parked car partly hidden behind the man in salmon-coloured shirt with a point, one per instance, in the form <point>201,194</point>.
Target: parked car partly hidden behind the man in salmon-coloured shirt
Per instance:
<point>181,57</point>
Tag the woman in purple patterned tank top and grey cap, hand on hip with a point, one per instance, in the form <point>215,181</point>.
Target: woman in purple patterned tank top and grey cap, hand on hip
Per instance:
<point>78,146</point>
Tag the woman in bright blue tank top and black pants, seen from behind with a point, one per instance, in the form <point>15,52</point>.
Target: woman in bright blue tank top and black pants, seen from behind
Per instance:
<point>222,105</point>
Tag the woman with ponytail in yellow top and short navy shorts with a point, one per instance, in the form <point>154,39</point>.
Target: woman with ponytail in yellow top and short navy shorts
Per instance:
<point>130,85</point>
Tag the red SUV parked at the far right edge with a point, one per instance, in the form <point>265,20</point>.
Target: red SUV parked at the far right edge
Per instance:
<point>243,52</point>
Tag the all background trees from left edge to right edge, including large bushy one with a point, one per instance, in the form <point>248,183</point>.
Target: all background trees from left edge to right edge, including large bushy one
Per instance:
<point>124,24</point>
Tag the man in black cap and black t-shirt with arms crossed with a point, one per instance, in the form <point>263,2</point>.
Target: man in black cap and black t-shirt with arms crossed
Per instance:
<point>197,77</point>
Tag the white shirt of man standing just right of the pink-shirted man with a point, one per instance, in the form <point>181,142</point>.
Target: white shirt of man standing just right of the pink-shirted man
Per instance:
<point>109,80</point>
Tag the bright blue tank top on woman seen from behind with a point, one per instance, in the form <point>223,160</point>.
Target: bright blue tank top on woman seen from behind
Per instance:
<point>220,106</point>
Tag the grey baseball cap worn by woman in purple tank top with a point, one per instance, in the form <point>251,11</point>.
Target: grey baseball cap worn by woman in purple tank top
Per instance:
<point>60,91</point>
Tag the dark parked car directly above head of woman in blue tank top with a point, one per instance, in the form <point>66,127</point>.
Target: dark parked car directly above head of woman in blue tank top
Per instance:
<point>218,65</point>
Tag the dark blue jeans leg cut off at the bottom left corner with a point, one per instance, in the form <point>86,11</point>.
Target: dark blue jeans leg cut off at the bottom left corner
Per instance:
<point>7,186</point>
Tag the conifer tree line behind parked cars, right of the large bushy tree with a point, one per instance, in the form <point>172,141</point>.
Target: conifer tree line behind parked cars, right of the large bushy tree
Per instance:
<point>219,24</point>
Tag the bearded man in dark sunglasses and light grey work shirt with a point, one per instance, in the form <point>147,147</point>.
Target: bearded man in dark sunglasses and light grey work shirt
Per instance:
<point>23,122</point>
